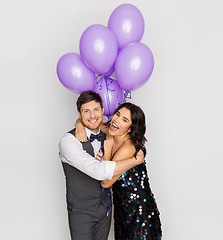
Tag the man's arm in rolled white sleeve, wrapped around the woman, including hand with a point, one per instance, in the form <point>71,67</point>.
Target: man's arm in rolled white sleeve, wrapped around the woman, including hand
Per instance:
<point>71,152</point>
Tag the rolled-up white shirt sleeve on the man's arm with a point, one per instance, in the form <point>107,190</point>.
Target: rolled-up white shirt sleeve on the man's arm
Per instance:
<point>71,152</point>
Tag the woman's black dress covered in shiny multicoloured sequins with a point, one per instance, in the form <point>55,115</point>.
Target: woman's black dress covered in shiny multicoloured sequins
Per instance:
<point>136,215</point>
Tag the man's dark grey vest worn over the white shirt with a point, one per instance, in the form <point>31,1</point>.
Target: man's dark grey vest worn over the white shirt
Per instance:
<point>84,192</point>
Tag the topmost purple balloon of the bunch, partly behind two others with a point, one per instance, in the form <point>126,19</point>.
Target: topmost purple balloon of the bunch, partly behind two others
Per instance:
<point>127,23</point>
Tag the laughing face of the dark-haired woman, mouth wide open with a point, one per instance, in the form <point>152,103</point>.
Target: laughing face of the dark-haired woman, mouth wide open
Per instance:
<point>121,122</point>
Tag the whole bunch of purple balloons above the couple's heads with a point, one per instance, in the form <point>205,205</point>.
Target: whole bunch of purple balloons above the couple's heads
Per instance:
<point>104,50</point>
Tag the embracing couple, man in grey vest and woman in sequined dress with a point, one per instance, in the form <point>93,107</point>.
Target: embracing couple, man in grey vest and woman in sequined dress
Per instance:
<point>98,157</point>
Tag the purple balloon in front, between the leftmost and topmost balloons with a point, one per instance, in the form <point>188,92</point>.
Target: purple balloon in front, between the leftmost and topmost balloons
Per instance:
<point>98,48</point>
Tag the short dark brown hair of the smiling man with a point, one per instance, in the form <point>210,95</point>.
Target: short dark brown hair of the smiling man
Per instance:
<point>86,97</point>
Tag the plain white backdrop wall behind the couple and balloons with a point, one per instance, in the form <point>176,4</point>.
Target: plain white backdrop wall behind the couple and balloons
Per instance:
<point>183,103</point>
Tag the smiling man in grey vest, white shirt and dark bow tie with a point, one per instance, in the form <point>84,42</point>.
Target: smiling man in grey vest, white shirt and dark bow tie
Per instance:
<point>88,204</point>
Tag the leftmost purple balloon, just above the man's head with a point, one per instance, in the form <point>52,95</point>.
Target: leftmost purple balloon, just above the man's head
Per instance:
<point>74,74</point>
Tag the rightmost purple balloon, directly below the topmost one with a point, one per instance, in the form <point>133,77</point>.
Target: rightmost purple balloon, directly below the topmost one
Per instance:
<point>134,66</point>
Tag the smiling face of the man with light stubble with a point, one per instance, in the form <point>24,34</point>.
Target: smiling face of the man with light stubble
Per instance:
<point>91,115</point>
